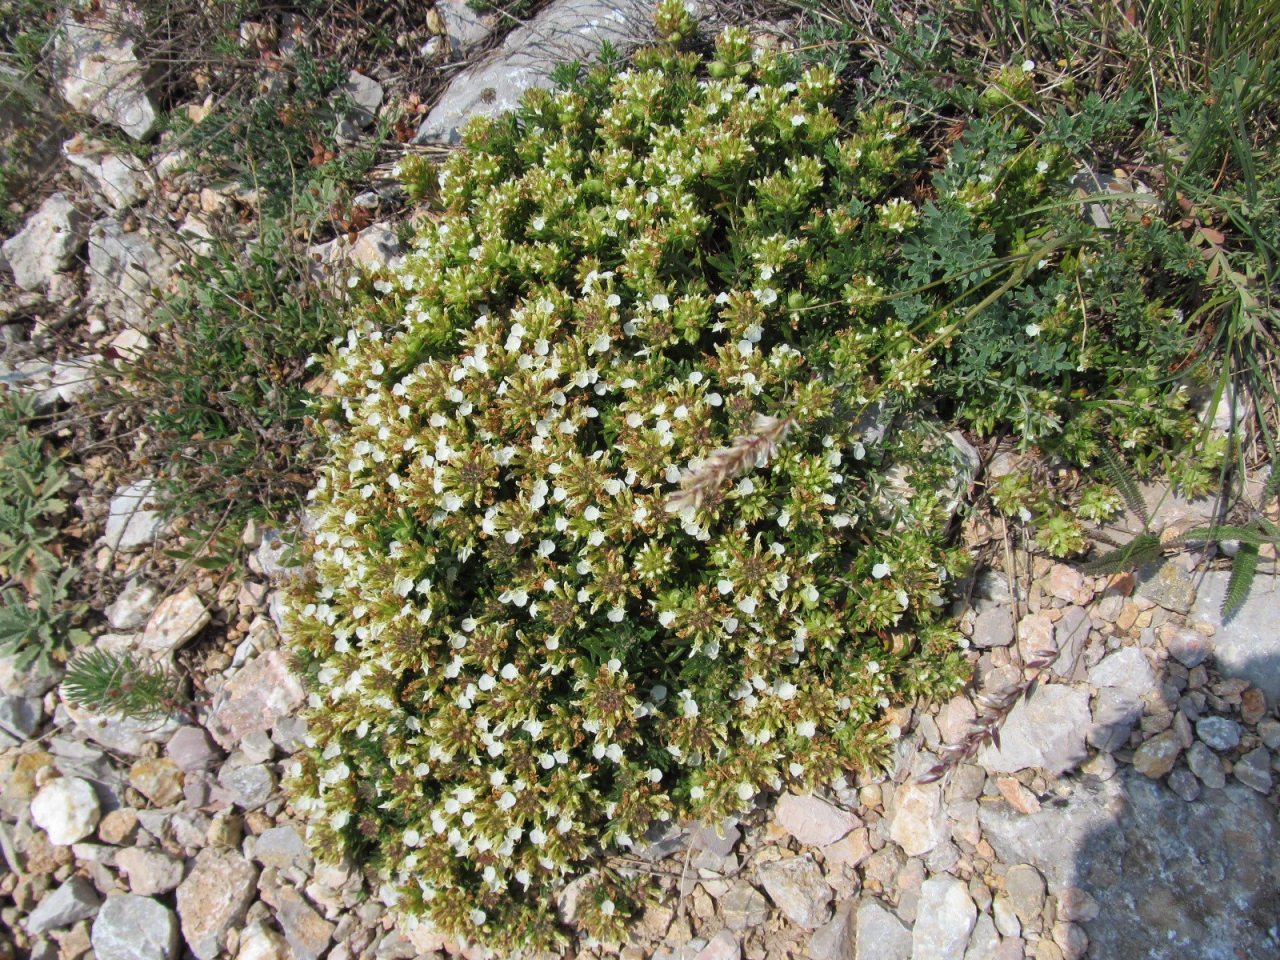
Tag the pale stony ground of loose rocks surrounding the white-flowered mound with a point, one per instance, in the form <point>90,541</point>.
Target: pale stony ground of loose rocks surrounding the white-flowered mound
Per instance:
<point>1128,812</point>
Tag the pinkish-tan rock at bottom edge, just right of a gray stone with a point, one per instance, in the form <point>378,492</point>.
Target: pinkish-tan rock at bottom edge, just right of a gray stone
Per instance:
<point>214,898</point>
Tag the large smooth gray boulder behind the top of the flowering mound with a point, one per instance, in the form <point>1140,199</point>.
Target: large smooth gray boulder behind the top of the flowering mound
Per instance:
<point>568,30</point>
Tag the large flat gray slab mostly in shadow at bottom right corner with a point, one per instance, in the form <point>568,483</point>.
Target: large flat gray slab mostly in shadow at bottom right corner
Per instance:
<point>1200,876</point>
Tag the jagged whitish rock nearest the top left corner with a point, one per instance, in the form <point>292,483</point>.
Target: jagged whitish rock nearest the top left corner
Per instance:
<point>100,74</point>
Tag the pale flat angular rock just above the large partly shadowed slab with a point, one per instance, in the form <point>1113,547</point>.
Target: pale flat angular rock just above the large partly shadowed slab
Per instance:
<point>1046,732</point>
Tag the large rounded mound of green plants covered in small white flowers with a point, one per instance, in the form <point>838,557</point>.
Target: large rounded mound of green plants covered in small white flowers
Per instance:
<point>601,542</point>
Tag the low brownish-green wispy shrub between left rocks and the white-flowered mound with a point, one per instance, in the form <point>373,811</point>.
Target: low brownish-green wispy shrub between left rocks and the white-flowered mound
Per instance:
<point>222,391</point>
